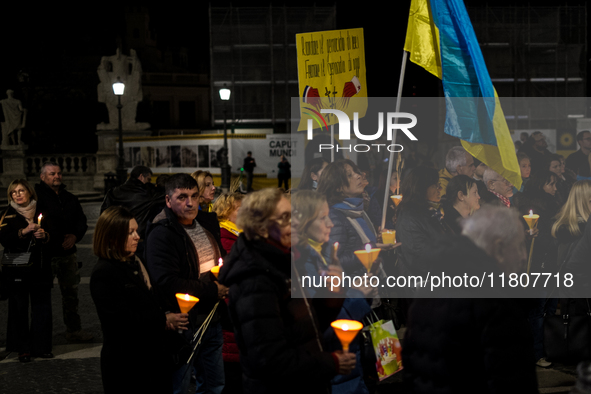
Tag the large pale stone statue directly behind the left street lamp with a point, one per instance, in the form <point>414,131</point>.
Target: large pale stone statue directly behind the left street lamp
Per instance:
<point>129,70</point>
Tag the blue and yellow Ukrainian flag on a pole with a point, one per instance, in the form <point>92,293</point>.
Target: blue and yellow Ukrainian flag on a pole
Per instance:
<point>440,38</point>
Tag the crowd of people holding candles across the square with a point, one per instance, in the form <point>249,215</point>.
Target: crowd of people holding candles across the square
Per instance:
<point>256,328</point>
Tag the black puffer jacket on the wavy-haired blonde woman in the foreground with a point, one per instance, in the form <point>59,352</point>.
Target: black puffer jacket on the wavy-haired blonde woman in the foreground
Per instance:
<point>276,333</point>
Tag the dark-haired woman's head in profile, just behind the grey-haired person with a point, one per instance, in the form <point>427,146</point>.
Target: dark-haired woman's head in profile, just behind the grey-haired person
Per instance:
<point>462,200</point>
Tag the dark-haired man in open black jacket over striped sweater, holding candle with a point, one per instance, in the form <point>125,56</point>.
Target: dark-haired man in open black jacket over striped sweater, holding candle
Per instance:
<point>180,253</point>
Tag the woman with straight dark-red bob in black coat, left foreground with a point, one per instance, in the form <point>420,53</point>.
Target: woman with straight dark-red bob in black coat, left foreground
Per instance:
<point>134,357</point>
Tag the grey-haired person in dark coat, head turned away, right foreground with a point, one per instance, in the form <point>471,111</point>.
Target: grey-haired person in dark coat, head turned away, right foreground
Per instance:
<point>463,339</point>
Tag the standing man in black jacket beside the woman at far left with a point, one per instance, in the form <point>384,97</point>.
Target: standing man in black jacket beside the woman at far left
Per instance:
<point>65,221</point>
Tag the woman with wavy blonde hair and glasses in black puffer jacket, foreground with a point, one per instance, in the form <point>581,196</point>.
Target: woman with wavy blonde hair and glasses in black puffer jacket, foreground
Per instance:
<point>278,332</point>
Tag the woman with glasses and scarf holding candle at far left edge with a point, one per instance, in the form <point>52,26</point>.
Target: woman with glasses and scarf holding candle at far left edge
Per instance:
<point>20,232</point>
